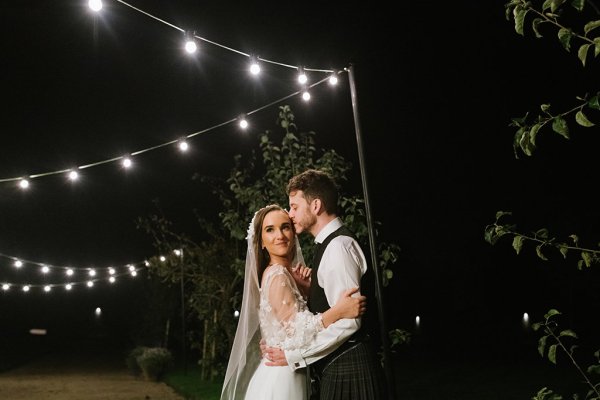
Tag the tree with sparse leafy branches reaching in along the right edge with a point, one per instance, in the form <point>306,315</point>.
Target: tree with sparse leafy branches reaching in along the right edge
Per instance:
<point>553,13</point>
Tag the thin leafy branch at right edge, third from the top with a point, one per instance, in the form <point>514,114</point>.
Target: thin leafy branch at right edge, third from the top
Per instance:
<point>542,241</point>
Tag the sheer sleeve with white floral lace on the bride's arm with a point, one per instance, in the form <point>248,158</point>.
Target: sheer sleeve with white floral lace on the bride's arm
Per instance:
<point>297,325</point>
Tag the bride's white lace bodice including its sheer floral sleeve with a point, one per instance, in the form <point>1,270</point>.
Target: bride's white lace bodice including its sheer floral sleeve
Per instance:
<point>285,320</point>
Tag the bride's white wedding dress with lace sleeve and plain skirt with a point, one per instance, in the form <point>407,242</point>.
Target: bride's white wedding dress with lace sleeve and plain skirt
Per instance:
<point>285,322</point>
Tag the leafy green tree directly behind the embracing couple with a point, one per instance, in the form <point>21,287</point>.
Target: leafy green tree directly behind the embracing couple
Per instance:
<point>214,269</point>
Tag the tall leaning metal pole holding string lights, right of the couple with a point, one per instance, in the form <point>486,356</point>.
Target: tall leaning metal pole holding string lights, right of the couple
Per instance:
<point>387,366</point>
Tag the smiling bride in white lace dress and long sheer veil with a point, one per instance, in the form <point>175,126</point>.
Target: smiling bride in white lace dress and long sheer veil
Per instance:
<point>276,312</point>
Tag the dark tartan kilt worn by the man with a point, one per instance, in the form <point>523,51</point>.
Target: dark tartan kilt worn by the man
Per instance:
<point>356,374</point>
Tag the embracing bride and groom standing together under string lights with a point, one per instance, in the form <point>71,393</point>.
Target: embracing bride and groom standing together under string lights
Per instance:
<point>299,334</point>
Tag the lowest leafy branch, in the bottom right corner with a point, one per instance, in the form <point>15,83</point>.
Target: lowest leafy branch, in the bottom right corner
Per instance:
<point>553,340</point>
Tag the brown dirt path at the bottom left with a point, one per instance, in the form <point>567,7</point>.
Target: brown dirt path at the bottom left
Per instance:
<point>70,376</point>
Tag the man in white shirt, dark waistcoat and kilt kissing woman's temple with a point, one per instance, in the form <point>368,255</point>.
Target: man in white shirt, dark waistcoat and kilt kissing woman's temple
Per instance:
<point>341,355</point>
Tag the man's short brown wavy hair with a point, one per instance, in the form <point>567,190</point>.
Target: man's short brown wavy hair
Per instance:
<point>316,184</point>
